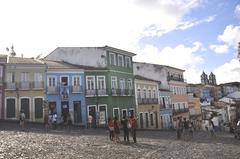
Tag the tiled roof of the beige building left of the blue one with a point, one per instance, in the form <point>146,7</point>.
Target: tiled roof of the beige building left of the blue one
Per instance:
<point>22,60</point>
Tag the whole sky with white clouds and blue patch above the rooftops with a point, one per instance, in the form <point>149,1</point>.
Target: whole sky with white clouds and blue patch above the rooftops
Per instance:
<point>194,35</point>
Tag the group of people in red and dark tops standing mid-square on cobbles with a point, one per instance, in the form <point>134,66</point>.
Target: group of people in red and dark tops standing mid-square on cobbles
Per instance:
<point>129,125</point>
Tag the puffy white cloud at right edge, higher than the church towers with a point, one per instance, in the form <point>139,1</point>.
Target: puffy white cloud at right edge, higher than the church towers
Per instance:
<point>229,38</point>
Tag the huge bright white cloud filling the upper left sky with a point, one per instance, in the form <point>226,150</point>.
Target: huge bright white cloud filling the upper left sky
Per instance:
<point>36,27</point>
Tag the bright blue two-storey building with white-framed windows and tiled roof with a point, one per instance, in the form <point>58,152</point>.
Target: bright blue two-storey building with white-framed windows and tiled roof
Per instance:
<point>65,91</point>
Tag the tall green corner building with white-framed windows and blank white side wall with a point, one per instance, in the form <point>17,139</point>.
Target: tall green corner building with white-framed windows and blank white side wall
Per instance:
<point>109,79</point>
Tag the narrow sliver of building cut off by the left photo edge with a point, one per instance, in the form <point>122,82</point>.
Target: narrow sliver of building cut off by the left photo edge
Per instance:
<point>3,61</point>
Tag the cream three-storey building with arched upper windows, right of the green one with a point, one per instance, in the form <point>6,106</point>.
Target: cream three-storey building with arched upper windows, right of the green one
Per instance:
<point>147,102</point>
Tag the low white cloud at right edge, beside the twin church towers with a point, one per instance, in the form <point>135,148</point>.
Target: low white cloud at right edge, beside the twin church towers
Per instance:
<point>228,72</point>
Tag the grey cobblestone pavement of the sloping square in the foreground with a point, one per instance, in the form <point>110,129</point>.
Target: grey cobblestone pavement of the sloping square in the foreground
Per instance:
<point>94,143</point>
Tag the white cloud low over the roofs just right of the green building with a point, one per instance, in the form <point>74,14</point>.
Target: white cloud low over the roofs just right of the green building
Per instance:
<point>183,57</point>
